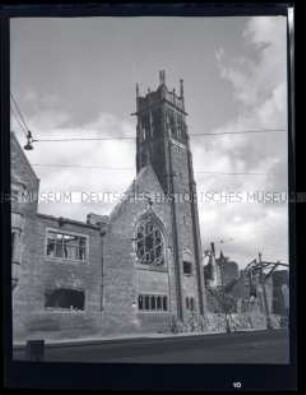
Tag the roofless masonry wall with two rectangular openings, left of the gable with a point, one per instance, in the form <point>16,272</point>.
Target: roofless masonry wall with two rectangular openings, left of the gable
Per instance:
<point>38,274</point>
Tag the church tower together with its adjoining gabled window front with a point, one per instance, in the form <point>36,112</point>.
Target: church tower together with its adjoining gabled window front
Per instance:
<point>152,269</point>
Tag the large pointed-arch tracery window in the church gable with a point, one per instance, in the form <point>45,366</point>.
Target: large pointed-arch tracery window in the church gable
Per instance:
<point>149,242</point>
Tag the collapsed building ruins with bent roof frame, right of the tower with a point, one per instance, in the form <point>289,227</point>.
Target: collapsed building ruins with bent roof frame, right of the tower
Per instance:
<point>241,291</point>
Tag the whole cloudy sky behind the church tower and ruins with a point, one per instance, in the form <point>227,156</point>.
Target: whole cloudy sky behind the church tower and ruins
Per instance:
<point>76,77</point>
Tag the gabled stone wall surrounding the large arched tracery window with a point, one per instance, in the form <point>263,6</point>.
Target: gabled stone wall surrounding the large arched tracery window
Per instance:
<point>124,279</point>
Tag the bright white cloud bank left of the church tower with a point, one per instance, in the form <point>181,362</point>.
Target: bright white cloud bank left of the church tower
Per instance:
<point>101,167</point>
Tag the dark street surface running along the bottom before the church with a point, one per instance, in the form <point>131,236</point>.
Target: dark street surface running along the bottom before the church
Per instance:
<point>258,347</point>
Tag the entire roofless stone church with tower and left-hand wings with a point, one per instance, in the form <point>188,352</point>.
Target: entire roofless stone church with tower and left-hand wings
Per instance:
<point>131,271</point>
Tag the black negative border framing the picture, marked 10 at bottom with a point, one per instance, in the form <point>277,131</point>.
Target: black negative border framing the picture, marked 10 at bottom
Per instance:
<point>76,375</point>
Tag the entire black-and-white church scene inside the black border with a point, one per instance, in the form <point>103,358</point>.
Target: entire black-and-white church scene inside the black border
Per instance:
<point>149,183</point>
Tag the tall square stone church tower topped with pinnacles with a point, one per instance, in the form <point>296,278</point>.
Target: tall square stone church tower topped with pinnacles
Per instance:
<point>163,142</point>
